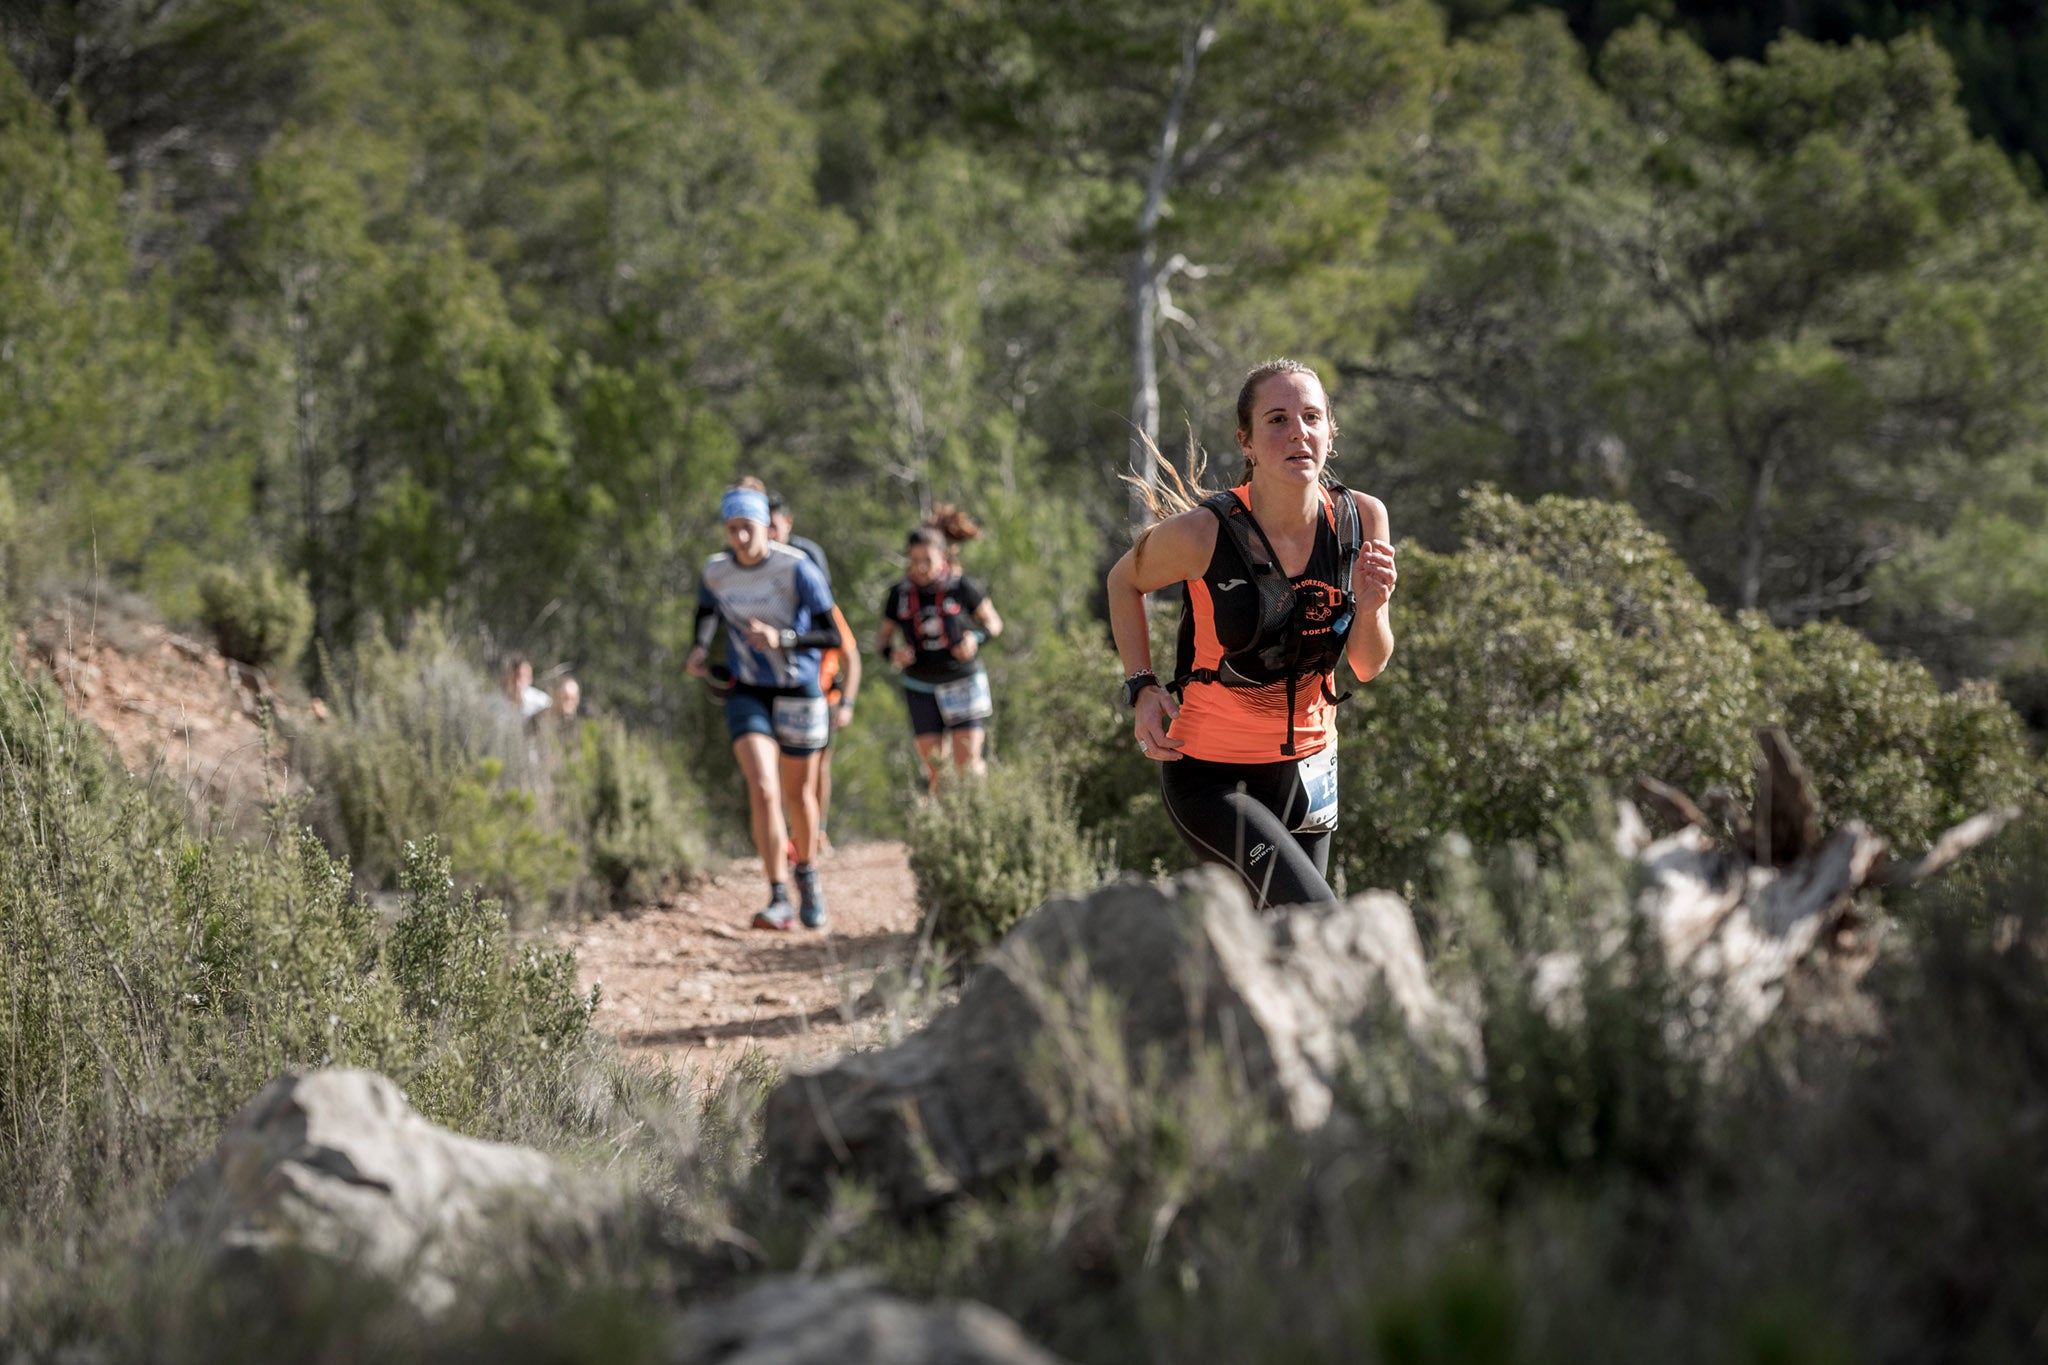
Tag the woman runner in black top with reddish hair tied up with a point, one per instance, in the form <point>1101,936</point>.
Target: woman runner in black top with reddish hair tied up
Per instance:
<point>945,619</point>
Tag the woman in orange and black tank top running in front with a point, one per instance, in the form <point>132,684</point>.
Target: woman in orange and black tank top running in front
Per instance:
<point>1285,576</point>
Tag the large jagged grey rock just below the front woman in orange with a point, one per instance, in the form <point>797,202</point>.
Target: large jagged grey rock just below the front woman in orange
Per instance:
<point>1187,967</point>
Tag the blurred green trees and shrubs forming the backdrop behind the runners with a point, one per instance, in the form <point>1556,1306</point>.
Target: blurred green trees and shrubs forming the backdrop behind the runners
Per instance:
<point>464,314</point>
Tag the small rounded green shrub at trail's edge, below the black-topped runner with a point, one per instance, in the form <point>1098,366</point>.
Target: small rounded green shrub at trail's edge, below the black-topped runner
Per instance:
<point>988,852</point>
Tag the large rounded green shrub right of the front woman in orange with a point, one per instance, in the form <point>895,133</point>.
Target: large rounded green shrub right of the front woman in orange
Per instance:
<point>1566,650</point>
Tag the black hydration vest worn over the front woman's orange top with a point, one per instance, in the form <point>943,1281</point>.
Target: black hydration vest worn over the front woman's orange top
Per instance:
<point>1279,652</point>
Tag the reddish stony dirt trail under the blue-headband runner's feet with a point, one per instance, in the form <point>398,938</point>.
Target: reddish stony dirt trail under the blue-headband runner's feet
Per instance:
<point>689,983</point>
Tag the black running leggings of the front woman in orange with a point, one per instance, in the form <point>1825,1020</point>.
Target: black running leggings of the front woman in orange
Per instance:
<point>1240,816</point>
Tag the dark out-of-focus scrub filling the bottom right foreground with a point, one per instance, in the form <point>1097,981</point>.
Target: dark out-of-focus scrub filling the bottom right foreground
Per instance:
<point>1598,1192</point>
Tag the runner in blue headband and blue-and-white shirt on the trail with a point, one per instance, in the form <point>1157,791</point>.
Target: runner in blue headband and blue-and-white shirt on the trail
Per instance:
<point>777,611</point>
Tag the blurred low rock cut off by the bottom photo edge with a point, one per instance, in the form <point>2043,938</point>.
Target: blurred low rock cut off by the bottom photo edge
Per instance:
<point>847,1321</point>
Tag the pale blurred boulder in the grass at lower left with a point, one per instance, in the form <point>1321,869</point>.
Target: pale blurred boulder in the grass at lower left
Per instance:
<point>339,1165</point>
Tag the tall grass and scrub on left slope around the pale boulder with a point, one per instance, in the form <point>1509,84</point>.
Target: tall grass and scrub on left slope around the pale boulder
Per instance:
<point>155,981</point>
